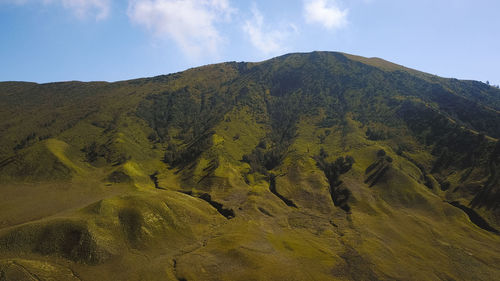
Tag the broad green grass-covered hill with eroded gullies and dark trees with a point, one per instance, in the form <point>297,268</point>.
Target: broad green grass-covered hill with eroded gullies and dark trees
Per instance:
<point>316,166</point>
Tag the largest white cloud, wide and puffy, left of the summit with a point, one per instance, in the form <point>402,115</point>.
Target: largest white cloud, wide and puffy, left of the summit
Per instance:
<point>190,23</point>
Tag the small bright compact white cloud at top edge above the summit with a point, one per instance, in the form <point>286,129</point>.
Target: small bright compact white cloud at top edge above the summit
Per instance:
<point>325,12</point>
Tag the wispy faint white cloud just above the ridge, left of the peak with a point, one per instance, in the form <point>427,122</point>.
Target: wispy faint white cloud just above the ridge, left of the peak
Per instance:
<point>265,40</point>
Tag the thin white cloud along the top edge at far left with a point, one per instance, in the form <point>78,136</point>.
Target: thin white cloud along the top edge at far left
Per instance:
<point>81,8</point>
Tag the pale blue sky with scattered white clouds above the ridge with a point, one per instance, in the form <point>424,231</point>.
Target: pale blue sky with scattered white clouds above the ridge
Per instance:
<point>110,40</point>
